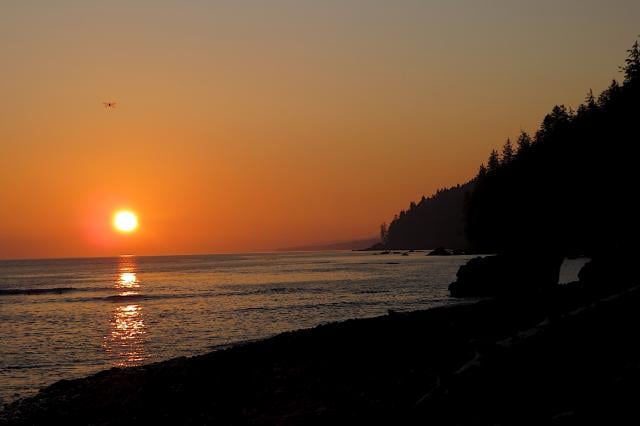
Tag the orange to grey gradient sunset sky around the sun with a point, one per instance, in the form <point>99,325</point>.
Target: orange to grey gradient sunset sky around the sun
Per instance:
<point>253,125</point>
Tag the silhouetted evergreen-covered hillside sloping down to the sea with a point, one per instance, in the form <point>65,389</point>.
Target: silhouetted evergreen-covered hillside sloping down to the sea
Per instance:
<point>571,187</point>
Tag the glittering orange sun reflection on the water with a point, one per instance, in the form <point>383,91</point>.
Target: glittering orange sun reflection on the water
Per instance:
<point>126,337</point>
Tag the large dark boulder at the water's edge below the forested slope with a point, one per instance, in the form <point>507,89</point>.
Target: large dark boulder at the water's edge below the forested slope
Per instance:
<point>506,274</point>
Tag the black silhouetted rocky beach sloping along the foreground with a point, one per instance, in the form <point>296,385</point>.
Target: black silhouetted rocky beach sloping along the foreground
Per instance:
<point>562,357</point>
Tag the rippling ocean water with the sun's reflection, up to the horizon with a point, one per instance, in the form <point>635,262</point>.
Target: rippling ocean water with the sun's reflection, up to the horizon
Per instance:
<point>66,318</point>
